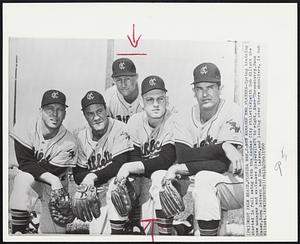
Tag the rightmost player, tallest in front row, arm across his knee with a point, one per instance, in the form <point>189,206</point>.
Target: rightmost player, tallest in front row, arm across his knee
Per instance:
<point>208,141</point>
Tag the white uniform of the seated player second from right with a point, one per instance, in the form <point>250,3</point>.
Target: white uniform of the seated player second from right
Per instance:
<point>150,141</point>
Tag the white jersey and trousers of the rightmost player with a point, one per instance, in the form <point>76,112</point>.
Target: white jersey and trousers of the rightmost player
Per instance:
<point>221,191</point>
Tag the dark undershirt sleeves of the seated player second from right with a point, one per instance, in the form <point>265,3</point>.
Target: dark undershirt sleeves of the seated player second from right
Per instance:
<point>166,158</point>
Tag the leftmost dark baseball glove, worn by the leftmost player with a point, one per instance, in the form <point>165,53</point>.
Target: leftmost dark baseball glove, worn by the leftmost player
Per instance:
<point>60,207</point>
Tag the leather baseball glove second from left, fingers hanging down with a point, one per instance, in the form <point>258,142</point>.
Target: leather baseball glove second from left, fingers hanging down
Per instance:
<point>86,203</point>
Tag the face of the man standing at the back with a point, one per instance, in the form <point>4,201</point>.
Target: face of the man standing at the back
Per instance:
<point>126,85</point>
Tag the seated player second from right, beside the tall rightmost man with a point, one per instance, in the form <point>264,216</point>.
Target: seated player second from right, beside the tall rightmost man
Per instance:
<point>151,132</point>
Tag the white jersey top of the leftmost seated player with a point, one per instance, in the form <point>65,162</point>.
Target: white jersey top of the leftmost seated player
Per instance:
<point>60,150</point>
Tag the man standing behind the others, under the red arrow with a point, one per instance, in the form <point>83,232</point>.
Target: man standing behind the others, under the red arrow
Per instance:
<point>123,98</point>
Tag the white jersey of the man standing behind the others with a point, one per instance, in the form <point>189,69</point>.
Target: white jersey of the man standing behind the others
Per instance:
<point>118,107</point>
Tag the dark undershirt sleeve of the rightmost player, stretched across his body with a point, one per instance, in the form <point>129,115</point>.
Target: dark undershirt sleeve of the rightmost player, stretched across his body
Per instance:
<point>211,157</point>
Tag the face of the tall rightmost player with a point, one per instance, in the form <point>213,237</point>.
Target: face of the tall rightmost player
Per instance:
<point>207,95</point>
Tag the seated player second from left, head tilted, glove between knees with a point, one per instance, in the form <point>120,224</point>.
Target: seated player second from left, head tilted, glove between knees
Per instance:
<point>103,145</point>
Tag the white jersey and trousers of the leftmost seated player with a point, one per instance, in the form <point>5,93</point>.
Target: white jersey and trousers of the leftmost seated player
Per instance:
<point>60,151</point>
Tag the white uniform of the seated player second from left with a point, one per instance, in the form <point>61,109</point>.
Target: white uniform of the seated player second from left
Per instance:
<point>96,155</point>
